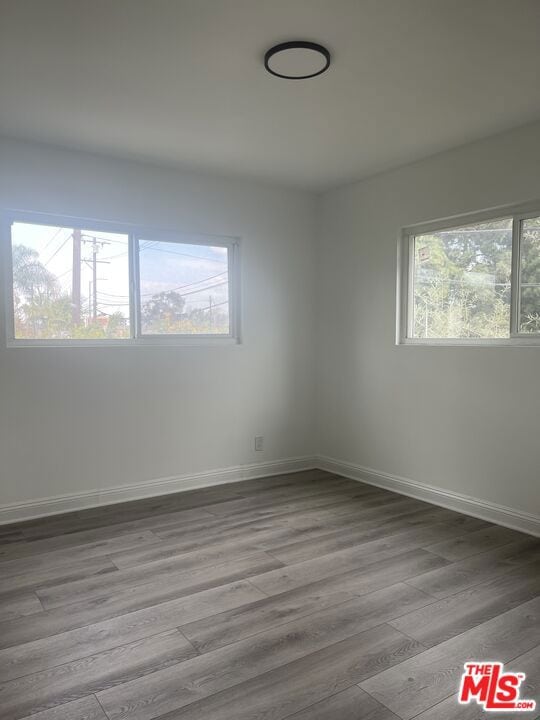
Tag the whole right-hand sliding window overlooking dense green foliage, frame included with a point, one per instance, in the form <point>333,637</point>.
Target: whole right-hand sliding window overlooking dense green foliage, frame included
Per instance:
<point>472,282</point>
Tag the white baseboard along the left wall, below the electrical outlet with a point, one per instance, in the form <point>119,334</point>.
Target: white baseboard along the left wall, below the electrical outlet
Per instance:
<point>153,488</point>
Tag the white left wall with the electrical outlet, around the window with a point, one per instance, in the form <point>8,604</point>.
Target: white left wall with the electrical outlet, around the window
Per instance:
<point>74,420</point>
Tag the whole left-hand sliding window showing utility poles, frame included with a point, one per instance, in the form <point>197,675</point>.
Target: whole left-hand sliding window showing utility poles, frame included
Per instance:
<point>89,283</point>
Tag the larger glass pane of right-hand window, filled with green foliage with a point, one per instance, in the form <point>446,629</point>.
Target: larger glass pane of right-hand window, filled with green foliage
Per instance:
<point>462,282</point>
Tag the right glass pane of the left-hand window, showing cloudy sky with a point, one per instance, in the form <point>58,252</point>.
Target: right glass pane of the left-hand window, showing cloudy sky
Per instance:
<point>184,289</point>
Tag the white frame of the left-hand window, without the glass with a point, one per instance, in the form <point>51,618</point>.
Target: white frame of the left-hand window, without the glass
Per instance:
<point>135,235</point>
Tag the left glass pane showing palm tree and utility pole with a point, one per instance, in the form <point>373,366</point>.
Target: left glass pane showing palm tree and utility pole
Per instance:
<point>69,283</point>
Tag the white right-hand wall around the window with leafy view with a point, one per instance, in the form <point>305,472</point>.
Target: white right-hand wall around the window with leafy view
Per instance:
<point>461,419</point>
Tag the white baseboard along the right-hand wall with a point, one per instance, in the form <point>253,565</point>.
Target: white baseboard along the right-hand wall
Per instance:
<point>499,514</point>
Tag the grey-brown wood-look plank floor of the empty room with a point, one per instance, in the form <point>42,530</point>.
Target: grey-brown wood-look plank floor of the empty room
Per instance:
<point>307,596</point>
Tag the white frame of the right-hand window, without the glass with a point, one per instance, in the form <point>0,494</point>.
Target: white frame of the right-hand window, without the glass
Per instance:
<point>405,286</point>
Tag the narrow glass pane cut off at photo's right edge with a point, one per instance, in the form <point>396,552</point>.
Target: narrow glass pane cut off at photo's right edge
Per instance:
<point>529,315</point>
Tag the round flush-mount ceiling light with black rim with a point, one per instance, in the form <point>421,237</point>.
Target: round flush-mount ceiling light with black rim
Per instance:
<point>297,60</point>
